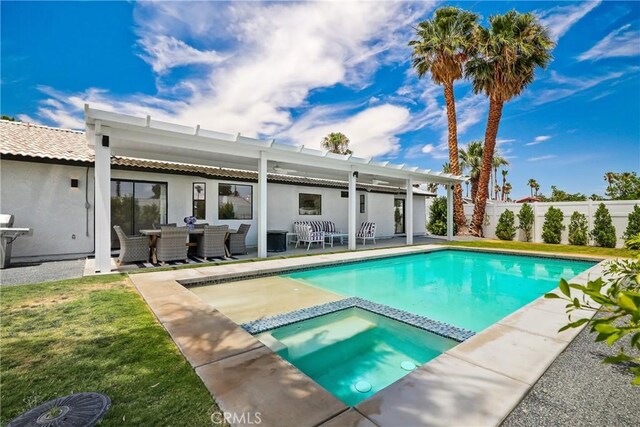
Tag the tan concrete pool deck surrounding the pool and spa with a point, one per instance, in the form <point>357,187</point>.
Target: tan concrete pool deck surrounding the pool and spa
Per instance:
<point>477,382</point>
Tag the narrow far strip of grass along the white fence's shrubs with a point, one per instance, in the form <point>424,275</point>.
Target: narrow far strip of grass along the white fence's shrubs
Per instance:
<point>544,247</point>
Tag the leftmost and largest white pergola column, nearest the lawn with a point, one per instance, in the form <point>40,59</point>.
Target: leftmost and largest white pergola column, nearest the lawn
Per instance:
<point>102,207</point>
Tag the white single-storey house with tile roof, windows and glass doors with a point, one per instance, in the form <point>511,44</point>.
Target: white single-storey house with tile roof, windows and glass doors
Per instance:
<point>47,182</point>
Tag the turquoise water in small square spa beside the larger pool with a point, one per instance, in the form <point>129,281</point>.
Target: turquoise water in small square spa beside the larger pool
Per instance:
<point>354,353</point>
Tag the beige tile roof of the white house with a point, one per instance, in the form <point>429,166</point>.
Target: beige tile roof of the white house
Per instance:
<point>28,140</point>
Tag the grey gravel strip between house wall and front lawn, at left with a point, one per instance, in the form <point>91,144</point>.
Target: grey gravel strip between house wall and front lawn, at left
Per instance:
<point>22,274</point>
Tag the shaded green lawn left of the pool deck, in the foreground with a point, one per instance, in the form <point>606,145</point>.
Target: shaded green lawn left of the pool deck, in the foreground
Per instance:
<point>95,334</point>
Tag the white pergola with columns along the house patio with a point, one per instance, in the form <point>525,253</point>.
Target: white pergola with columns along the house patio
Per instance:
<point>113,134</point>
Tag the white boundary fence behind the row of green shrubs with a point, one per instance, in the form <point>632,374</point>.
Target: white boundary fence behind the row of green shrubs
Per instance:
<point>619,210</point>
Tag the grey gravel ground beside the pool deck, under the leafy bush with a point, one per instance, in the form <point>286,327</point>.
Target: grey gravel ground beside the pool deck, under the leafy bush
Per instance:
<point>579,390</point>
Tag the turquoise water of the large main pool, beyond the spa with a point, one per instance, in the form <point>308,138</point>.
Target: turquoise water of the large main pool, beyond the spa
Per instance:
<point>470,290</point>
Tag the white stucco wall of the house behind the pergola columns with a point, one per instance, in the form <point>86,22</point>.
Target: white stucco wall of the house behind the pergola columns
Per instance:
<point>40,196</point>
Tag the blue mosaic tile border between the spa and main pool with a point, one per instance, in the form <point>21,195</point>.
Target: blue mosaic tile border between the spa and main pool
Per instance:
<point>421,322</point>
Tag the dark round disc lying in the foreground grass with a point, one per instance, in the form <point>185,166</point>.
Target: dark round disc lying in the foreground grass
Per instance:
<point>80,409</point>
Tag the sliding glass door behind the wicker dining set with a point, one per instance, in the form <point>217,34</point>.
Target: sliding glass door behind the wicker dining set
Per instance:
<point>136,205</point>
